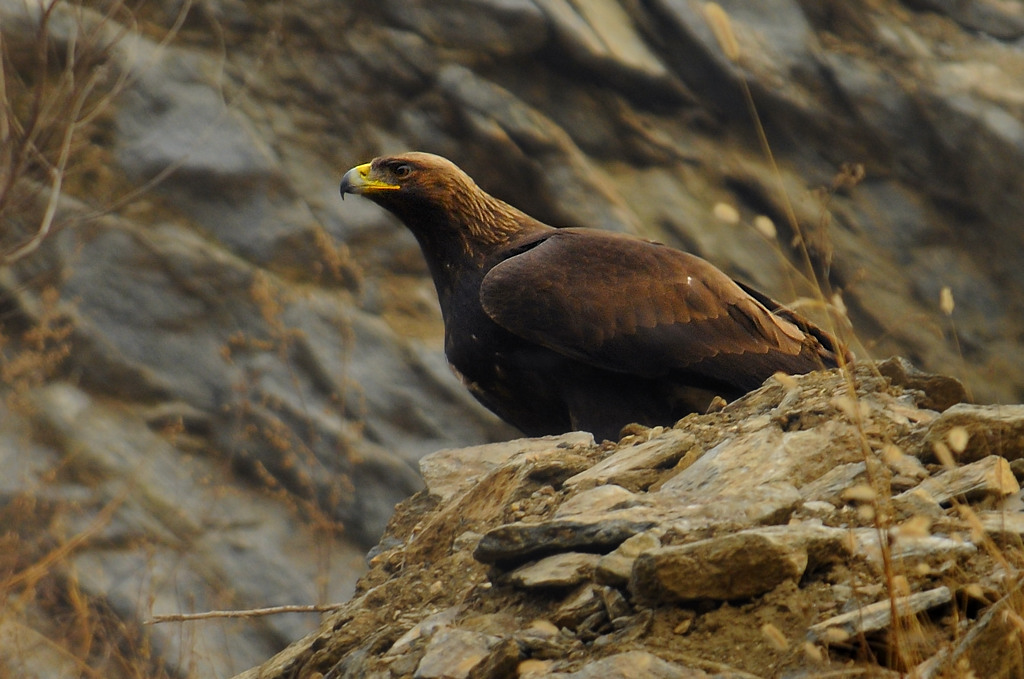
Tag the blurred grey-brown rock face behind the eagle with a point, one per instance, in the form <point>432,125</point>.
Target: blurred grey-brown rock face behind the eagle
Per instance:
<point>219,377</point>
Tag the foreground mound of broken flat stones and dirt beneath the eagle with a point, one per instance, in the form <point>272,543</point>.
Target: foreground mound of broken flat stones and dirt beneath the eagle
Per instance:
<point>806,530</point>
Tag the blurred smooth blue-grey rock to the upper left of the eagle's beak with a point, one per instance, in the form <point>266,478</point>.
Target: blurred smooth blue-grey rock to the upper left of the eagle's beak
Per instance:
<point>227,179</point>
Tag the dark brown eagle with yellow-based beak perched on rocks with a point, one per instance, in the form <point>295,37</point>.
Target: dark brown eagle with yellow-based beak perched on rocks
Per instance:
<point>563,329</point>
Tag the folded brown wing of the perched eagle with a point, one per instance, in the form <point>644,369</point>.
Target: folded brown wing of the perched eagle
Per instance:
<point>635,307</point>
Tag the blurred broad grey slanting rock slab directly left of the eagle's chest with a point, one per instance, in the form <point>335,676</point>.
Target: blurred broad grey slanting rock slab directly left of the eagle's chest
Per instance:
<point>191,307</point>
